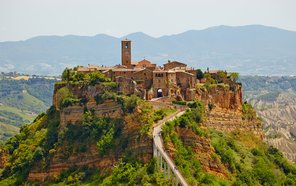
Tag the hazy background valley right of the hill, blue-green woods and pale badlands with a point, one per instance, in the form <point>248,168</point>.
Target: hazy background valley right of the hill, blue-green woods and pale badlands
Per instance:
<point>274,99</point>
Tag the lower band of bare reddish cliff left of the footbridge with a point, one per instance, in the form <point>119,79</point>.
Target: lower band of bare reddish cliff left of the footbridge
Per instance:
<point>130,143</point>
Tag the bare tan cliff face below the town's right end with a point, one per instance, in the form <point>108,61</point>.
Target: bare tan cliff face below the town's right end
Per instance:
<point>224,109</point>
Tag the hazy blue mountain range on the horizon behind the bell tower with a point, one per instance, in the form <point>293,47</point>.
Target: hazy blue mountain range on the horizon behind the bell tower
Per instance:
<point>250,50</point>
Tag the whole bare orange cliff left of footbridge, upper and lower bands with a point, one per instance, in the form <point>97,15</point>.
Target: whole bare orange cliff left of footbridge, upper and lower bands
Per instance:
<point>129,142</point>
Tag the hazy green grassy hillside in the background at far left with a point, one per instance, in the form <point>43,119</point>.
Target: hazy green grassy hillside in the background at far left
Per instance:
<point>21,101</point>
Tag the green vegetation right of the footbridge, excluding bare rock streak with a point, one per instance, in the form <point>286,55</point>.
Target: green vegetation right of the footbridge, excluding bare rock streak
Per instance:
<point>248,160</point>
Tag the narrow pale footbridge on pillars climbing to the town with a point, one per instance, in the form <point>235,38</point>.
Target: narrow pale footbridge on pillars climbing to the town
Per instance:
<point>164,162</point>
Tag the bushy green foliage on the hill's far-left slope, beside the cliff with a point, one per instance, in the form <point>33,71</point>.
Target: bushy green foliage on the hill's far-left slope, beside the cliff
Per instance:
<point>31,146</point>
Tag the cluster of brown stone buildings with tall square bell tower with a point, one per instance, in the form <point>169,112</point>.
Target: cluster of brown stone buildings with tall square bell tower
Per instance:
<point>146,79</point>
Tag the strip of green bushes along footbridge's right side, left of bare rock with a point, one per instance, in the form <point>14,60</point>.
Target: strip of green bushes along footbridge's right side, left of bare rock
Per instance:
<point>186,161</point>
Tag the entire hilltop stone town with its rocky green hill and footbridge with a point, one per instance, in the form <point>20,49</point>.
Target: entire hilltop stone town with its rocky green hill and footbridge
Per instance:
<point>110,125</point>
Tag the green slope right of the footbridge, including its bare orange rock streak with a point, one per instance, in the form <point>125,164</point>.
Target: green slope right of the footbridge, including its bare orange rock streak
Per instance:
<point>210,157</point>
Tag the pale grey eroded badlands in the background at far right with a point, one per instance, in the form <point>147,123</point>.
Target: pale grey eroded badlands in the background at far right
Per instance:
<point>279,124</point>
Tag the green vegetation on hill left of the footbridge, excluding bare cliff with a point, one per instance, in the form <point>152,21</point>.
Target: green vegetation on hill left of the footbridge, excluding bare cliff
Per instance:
<point>40,142</point>
